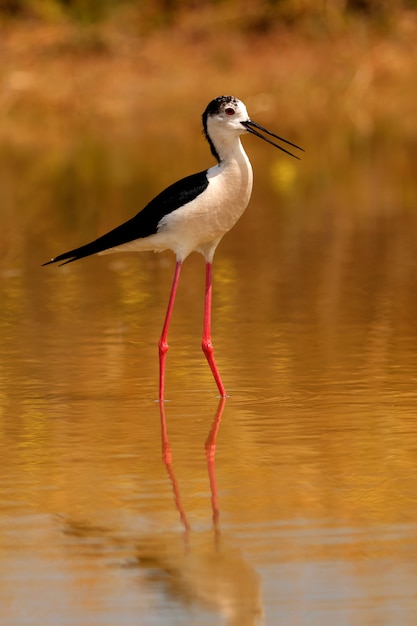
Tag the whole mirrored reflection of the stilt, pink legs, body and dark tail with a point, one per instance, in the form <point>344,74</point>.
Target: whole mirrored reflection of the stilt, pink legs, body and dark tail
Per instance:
<point>200,568</point>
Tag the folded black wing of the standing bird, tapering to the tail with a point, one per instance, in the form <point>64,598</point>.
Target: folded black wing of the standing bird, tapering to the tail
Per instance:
<point>146,222</point>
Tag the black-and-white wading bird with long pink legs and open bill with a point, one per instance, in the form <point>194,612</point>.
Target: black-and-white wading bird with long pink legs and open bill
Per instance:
<point>193,214</point>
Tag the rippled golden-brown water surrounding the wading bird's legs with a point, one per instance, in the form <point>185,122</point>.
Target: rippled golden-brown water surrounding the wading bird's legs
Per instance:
<point>295,501</point>
